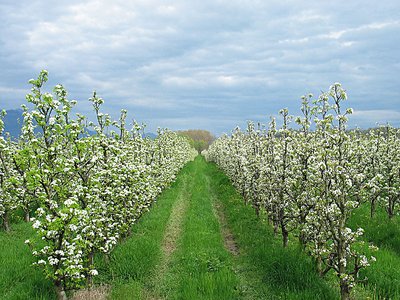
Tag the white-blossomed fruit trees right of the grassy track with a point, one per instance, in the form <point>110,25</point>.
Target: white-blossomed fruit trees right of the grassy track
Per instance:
<point>309,179</point>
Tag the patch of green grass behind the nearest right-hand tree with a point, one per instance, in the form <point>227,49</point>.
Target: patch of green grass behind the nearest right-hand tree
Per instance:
<point>384,274</point>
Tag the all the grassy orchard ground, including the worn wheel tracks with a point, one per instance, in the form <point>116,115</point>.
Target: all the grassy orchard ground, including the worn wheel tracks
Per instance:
<point>200,241</point>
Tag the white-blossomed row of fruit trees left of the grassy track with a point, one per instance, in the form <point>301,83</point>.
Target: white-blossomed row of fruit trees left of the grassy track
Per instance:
<point>85,190</point>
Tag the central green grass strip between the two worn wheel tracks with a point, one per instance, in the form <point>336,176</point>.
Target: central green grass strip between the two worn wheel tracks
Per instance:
<point>201,267</point>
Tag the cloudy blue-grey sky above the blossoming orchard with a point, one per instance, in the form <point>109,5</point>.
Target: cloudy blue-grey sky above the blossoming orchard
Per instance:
<point>209,64</point>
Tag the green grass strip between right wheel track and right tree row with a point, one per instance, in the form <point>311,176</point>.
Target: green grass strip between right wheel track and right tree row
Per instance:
<point>265,268</point>
